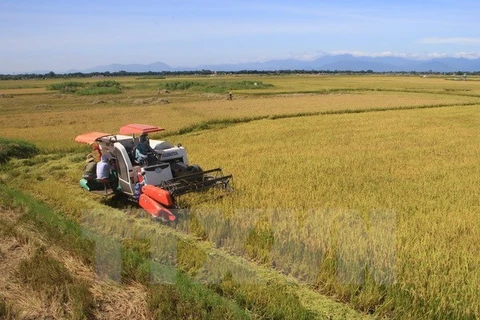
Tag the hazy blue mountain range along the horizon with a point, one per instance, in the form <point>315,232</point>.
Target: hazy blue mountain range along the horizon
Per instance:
<point>344,62</point>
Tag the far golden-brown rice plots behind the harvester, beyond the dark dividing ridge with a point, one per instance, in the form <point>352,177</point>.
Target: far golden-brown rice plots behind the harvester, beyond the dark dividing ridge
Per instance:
<point>39,117</point>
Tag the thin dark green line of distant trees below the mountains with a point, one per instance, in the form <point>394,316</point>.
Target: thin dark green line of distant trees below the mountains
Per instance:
<point>53,75</point>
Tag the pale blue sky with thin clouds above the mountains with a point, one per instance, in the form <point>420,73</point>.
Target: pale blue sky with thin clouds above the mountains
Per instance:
<point>60,35</point>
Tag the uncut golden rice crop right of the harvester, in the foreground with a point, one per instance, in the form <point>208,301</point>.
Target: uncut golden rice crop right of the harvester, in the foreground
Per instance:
<point>372,207</point>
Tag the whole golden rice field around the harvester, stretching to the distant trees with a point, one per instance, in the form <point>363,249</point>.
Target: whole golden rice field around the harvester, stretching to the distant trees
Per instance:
<point>362,187</point>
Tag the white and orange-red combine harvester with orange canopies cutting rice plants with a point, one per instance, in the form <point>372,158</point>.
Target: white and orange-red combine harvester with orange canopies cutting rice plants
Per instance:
<point>156,184</point>
